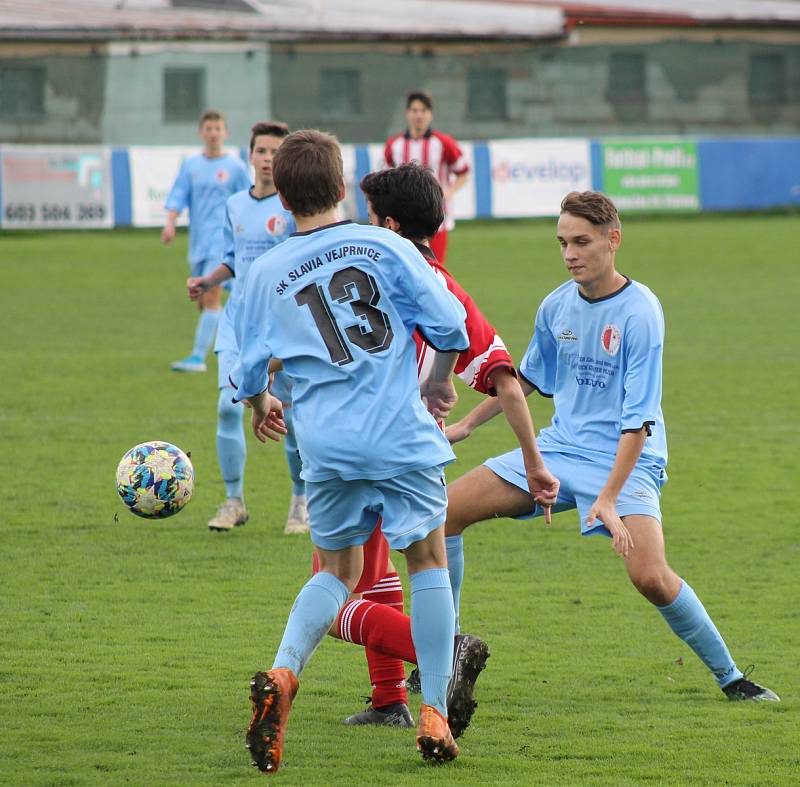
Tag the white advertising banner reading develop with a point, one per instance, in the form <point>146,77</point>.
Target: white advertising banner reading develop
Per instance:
<point>531,176</point>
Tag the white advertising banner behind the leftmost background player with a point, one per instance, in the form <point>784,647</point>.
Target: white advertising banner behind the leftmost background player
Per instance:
<point>153,171</point>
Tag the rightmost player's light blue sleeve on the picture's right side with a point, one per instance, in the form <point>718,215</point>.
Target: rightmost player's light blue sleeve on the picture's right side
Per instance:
<point>642,348</point>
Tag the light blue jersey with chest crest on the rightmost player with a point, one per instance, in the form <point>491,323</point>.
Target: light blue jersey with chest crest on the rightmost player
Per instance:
<point>601,362</point>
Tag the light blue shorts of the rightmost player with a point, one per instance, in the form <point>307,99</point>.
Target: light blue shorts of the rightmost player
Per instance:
<point>581,481</point>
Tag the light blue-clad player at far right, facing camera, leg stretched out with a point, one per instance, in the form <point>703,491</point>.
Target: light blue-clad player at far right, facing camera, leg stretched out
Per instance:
<point>596,349</point>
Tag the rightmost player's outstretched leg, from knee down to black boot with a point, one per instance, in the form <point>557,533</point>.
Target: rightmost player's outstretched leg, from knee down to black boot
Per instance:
<point>684,613</point>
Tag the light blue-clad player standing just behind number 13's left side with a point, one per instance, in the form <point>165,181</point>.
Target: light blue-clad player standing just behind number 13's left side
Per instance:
<point>255,221</point>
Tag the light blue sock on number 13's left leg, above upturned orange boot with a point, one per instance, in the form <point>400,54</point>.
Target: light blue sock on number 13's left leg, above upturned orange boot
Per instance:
<point>315,608</point>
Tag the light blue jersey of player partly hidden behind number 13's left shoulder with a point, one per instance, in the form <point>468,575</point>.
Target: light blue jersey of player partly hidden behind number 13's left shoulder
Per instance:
<point>252,227</point>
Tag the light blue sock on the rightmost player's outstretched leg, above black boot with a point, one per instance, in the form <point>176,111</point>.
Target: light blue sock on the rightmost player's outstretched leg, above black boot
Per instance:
<point>688,618</point>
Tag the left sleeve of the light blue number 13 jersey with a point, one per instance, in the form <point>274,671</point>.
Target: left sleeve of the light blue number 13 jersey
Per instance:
<point>250,375</point>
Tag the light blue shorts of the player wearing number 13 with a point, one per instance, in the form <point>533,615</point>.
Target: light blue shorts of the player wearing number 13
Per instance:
<point>344,513</point>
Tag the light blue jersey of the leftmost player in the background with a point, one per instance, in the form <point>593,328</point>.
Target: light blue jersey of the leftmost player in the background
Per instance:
<point>203,185</point>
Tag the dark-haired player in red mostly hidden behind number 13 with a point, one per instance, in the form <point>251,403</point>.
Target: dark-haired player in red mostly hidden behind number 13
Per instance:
<point>408,200</point>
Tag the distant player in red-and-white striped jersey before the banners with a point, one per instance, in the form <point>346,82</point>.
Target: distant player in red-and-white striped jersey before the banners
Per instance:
<point>437,151</point>
